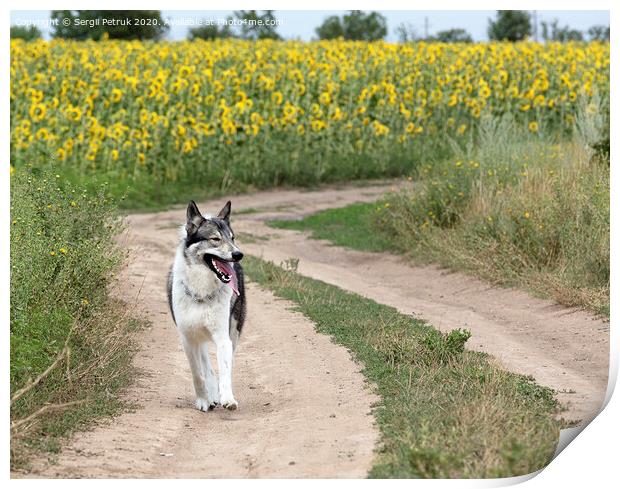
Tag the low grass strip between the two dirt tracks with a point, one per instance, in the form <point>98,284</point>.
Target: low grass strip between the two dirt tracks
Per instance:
<point>445,412</point>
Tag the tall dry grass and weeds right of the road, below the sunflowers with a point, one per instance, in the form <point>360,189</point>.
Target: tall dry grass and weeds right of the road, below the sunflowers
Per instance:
<point>518,211</point>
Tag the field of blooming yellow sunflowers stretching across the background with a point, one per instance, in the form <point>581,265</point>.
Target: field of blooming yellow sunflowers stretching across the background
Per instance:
<point>234,113</point>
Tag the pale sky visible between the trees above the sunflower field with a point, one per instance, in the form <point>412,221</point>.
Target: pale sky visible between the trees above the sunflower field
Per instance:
<point>301,24</point>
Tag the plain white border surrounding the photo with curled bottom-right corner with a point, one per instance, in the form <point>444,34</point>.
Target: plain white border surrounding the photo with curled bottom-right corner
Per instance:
<point>590,460</point>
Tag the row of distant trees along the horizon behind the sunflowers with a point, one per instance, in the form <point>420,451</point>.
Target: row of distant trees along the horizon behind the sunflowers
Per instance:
<point>508,25</point>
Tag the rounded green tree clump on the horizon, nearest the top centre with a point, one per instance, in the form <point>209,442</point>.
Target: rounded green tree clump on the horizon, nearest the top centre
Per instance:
<point>354,26</point>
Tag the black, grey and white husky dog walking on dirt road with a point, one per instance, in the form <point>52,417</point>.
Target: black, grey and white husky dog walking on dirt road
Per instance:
<point>207,301</point>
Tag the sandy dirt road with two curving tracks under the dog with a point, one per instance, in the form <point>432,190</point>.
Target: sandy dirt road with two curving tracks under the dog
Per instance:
<point>304,406</point>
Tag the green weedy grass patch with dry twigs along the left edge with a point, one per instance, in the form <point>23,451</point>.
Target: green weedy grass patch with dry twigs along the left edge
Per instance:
<point>71,343</point>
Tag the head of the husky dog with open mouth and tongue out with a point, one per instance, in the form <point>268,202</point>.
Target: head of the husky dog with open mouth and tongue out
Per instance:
<point>211,240</point>
